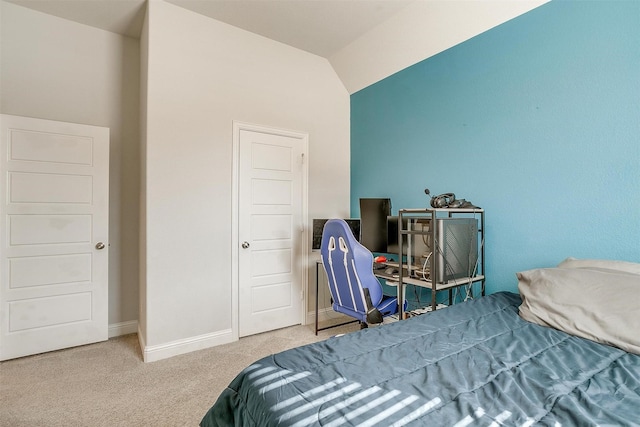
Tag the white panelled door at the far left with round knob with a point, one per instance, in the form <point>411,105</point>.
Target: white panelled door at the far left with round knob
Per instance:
<point>54,194</point>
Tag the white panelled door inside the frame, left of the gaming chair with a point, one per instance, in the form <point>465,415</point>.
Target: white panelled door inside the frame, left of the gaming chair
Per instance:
<point>270,230</point>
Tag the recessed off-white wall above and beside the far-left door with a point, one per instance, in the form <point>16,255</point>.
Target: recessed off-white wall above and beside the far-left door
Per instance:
<point>61,70</point>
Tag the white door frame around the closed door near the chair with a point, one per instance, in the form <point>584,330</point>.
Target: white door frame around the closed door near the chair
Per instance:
<point>239,126</point>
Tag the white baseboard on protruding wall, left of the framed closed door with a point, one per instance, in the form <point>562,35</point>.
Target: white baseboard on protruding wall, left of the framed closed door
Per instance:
<point>154,353</point>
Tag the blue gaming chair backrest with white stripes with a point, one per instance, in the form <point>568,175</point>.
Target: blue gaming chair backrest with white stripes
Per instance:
<point>349,267</point>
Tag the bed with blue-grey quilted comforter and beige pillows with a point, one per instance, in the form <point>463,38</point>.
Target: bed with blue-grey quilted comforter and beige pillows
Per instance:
<point>503,359</point>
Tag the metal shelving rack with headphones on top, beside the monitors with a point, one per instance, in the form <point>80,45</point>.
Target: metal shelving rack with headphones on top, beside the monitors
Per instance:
<point>431,215</point>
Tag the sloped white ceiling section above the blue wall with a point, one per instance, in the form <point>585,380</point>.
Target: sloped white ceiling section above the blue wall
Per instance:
<point>422,29</point>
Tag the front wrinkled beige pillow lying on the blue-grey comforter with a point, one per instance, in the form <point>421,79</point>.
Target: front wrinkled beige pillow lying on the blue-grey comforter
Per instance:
<point>600,305</point>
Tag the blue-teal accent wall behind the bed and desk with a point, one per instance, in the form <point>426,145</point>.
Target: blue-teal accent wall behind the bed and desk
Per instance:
<point>537,121</point>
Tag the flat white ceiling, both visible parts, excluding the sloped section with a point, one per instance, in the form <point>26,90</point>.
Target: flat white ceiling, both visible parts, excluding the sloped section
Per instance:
<point>322,27</point>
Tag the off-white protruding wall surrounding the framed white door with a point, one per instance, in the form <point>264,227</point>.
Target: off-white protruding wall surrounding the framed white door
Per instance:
<point>202,75</point>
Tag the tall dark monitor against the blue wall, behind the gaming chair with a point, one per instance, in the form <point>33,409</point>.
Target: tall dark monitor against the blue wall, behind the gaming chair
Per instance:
<point>373,227</point>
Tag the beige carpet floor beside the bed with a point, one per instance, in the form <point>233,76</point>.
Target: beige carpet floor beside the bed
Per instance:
<point>107,384</point>
